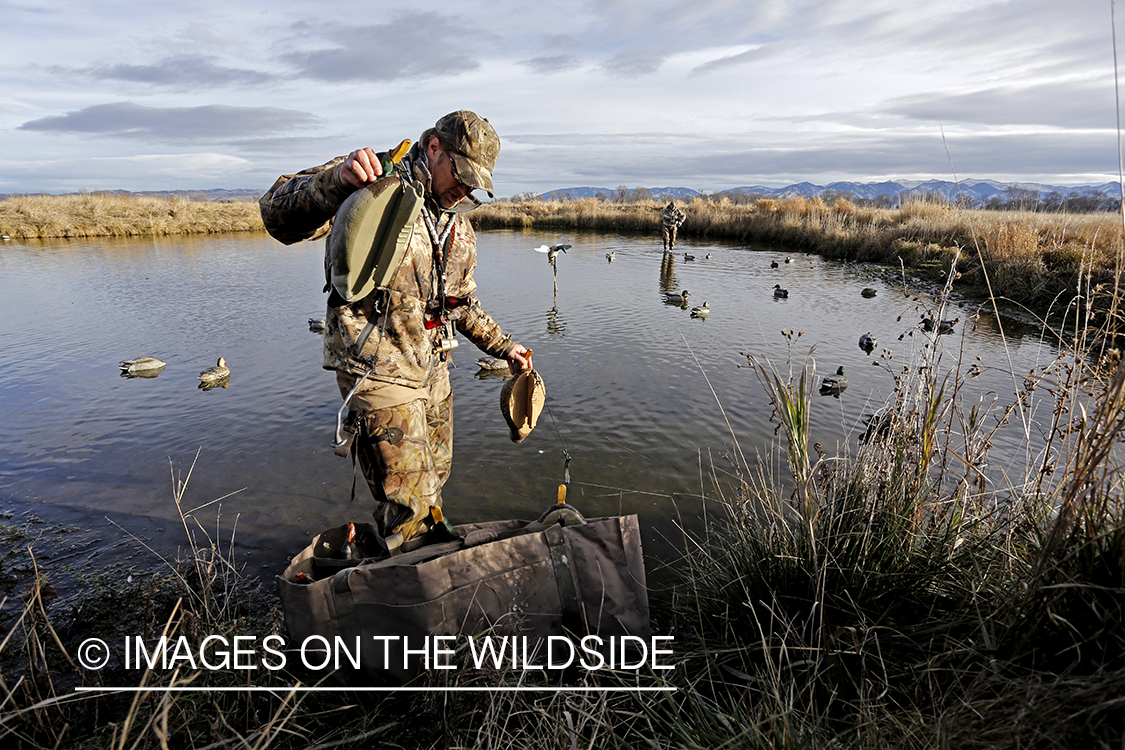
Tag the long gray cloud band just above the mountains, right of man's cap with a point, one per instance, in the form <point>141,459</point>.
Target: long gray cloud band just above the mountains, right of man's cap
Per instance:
<point>608,160</point>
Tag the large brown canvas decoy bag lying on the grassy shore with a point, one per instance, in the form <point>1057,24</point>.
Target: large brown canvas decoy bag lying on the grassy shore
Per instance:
<point>506,577</point>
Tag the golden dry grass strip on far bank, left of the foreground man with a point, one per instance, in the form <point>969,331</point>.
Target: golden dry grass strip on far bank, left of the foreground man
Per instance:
<point>106,215</point>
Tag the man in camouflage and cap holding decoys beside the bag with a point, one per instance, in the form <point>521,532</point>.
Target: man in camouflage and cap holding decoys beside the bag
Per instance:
<point>390,346</point>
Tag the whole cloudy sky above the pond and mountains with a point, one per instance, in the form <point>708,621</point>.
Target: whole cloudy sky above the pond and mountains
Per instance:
<point>700,94</point>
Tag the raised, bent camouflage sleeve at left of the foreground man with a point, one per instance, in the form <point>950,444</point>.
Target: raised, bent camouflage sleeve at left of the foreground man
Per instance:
<point>301,206</point>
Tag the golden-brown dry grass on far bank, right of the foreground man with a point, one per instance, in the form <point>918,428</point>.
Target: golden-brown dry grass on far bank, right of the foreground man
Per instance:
<point>1030,258</point>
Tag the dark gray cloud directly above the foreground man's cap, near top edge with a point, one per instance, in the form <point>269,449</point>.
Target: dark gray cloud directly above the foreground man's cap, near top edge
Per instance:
<point>420,46</point>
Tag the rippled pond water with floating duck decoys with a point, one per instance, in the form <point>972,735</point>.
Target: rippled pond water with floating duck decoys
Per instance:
<point>646,401</point>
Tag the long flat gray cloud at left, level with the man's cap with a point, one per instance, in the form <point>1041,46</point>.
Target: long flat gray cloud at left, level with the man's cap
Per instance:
<point>125,120</point>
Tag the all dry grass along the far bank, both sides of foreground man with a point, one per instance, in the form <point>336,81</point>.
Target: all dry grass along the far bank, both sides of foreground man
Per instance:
<point>1024,257</point>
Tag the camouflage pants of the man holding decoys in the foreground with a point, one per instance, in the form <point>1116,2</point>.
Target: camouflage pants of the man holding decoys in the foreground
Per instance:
<point>406,454</point>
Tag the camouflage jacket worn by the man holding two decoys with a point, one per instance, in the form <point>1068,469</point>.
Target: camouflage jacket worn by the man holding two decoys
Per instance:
<point>302,207</point>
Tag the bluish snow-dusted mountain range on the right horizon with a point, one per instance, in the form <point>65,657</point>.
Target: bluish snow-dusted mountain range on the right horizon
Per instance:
<point>979,191</point>
